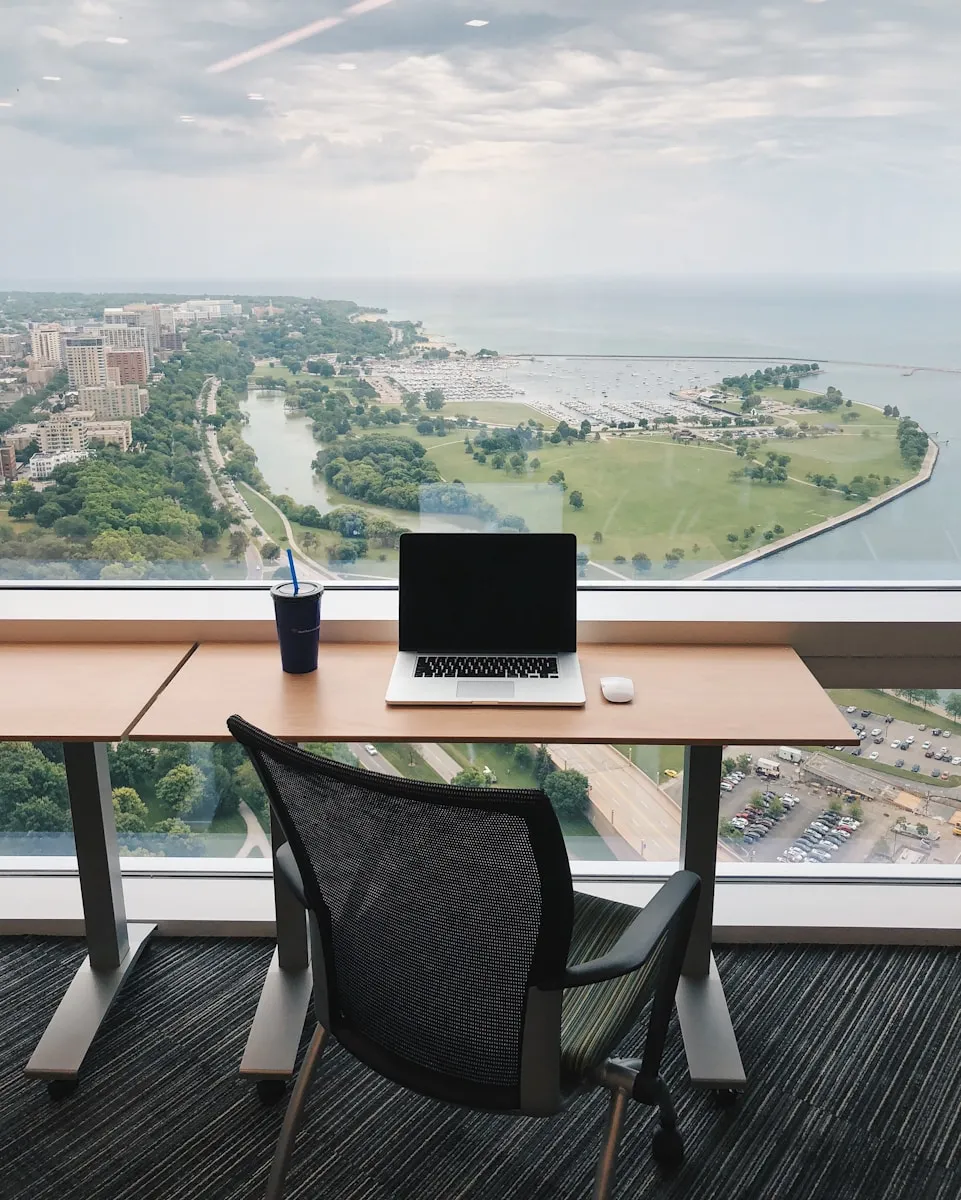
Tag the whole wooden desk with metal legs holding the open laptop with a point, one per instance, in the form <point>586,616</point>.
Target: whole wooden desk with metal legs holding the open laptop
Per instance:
<point>701,698</point>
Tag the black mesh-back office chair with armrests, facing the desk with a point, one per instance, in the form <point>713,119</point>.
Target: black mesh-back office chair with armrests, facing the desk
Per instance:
<point>452,955</point>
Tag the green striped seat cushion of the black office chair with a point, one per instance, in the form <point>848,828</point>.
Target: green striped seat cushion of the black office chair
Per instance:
<point>598,1017</point>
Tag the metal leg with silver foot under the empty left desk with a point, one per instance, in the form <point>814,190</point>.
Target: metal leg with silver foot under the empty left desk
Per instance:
<point>113,946</point>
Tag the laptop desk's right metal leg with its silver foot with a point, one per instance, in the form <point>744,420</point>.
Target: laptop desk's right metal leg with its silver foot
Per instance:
<point>713,1057</point>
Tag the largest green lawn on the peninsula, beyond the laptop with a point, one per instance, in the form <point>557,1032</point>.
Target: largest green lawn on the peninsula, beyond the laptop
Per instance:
<point>652,495</point>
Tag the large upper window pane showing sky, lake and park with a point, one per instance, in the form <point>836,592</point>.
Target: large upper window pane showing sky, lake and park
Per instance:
<point>657,278</point>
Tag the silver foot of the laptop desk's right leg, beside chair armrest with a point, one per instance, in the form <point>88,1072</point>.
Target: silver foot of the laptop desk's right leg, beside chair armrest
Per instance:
<point>713,1057</point>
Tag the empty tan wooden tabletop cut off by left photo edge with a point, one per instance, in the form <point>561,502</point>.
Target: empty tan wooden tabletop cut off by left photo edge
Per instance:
<point>81,693</point>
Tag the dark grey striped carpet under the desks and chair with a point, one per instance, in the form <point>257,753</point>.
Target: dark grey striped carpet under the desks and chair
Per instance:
<point>854,1058</point>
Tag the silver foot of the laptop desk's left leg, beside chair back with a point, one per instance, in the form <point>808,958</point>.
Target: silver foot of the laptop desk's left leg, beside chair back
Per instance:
<point>278,1027</point>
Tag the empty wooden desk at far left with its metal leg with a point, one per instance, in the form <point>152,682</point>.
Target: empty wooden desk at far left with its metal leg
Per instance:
<point>86,697</point>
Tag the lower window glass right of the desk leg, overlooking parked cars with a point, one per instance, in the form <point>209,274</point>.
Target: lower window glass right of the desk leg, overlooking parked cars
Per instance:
<point>894,800</point>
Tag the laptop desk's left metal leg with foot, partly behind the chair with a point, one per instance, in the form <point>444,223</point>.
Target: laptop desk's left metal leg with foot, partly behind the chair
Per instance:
<point>279,1023</point>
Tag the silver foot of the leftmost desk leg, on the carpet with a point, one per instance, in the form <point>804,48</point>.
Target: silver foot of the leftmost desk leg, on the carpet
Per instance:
<point>68,1039</point>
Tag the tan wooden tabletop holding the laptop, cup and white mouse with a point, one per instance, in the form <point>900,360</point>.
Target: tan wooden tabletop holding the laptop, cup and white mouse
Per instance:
<point>684,695</point>
